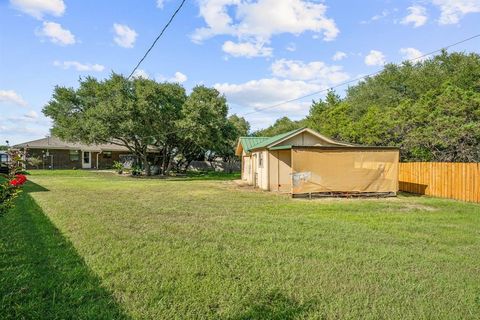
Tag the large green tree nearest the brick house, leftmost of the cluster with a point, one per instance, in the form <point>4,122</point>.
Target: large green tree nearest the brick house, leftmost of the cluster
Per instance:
<point>137,114</point>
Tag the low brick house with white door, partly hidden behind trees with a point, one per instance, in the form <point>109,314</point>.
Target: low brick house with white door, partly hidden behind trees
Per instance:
<point>58,154</point>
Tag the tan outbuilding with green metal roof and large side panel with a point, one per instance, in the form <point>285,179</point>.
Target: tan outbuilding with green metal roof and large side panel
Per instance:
<point>303,161</point>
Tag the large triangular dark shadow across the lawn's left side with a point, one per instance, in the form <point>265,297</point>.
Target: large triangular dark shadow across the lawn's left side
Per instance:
<point>42,276</point>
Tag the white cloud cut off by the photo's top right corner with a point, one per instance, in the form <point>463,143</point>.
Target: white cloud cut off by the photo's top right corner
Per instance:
<point>453,10</point>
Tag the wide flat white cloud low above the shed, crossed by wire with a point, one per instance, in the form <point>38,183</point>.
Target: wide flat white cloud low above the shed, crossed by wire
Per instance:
<point>258,94</point>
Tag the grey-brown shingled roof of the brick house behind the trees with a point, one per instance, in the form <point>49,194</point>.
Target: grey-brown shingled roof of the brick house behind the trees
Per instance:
<point>57,143</point>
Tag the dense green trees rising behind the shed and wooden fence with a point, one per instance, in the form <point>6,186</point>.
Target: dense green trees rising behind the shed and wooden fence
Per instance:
<point>431,110</point>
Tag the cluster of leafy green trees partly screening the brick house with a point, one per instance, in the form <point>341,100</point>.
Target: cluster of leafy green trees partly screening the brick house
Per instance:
<point>144,116</point>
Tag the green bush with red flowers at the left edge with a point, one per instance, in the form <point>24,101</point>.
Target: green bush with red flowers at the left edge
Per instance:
<point>10,184</point>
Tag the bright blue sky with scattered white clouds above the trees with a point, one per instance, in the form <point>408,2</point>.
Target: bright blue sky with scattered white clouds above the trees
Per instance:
<point>257,53</point>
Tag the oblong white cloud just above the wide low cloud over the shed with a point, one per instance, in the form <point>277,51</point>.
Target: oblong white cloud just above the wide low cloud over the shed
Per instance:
<point>316,71</point>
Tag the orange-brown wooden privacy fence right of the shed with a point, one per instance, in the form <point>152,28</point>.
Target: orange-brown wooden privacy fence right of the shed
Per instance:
<point>459,181</point>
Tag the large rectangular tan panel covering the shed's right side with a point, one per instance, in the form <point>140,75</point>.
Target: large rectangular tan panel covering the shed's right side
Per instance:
<point>344,171</point>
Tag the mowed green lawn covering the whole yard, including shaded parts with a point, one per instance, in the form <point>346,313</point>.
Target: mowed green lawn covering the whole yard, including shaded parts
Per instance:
<point>94,245</point>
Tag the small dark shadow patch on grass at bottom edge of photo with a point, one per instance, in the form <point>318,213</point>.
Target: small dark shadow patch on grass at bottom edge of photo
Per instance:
<point>273,306</point>
